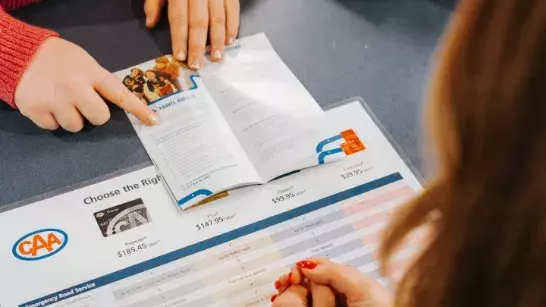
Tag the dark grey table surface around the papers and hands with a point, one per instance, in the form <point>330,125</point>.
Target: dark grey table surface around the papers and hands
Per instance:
<point>377,49</point>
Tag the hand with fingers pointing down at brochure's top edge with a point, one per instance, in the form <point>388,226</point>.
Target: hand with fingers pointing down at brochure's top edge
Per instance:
<point>191,21</point>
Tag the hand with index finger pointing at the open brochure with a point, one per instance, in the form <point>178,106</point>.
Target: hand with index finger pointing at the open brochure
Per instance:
<point>63,84</point>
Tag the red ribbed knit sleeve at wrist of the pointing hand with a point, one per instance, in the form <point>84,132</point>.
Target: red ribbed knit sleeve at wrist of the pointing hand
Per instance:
<point>18,43</point>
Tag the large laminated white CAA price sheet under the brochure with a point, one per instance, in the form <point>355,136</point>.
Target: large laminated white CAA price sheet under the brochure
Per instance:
<point>225,253</point>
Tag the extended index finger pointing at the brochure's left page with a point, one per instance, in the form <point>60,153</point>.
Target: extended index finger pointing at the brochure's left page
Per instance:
<point>112,89</point>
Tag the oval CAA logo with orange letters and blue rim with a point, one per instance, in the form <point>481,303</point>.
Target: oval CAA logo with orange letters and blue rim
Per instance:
<point>40,244</point>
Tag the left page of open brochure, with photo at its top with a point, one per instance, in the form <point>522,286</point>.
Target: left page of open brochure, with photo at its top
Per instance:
<point>193,147</point>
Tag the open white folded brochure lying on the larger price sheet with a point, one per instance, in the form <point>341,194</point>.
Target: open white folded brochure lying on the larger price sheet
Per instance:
<point>245,121</point>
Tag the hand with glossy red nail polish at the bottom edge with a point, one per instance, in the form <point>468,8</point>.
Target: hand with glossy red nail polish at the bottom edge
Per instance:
<point>320,282</point>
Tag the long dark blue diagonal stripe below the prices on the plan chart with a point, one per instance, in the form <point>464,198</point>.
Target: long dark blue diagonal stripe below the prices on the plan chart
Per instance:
<point>221,239</point>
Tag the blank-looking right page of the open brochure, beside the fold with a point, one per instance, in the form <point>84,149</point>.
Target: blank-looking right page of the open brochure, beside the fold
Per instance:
<point>276,120</point>
